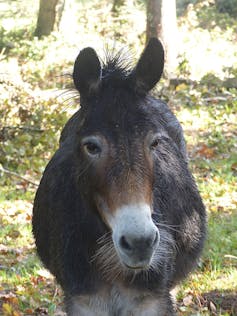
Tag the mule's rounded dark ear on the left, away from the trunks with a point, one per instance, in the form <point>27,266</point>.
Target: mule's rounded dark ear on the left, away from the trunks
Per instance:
<point>86,72</point>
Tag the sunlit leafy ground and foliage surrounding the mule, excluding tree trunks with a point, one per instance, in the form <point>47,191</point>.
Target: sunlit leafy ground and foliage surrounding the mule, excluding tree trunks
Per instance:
<point>37,97</point>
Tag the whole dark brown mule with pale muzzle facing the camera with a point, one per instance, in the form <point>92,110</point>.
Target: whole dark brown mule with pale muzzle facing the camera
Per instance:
<point>117,217</point>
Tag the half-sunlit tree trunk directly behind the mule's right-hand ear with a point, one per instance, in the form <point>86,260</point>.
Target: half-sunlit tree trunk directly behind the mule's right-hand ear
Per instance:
<point>161,22</point>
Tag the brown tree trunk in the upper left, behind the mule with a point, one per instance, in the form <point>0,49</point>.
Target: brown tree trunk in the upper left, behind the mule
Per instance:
<point>46,17</point>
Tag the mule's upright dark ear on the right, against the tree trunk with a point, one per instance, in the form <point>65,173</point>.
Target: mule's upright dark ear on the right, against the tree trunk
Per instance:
<point>149,67</point>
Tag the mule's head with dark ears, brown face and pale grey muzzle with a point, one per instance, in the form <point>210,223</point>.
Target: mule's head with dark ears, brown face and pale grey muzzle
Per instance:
<point>117,141</point>
